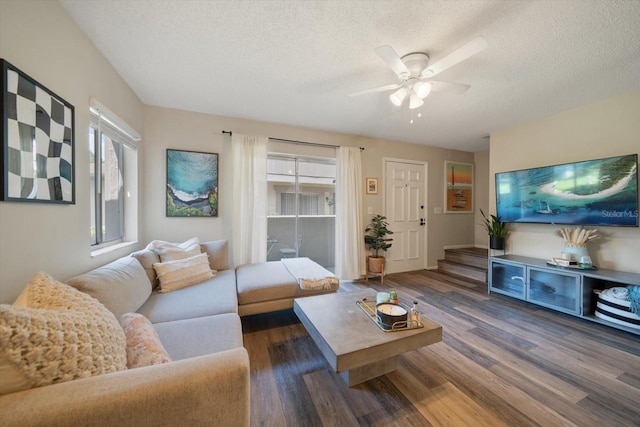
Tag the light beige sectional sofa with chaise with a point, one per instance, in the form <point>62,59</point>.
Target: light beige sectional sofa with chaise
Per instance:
<point>207,382</point>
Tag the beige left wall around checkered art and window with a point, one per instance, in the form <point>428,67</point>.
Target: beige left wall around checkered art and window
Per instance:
<point>40,38</point>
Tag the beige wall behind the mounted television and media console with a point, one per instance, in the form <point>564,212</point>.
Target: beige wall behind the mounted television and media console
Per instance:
<point>606,128</point>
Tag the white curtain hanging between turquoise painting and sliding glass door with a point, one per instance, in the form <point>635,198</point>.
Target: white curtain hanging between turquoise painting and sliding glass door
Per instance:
<point>249,225</point>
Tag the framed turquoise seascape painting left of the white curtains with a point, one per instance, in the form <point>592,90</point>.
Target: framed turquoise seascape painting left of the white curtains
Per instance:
<point>192,184</point>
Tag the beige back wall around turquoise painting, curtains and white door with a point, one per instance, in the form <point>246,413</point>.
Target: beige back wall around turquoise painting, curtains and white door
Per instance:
<point>168,128</point>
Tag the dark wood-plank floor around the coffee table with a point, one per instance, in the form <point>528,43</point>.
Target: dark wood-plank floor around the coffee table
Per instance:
<point>501,362</point>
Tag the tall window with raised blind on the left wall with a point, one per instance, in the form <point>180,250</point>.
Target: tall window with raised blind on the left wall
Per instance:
<point>113,178</point>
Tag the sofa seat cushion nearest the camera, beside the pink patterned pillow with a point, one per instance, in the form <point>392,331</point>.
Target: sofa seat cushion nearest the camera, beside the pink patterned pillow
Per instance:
<point>188,338</point>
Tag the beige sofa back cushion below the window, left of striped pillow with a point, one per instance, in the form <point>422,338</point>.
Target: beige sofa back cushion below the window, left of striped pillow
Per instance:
<point>122,285</point>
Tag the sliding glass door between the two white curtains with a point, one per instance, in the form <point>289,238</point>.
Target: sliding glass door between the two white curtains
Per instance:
<point>301,210</point>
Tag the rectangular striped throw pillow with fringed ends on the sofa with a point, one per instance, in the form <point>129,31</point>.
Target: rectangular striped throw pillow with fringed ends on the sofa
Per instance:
<point>181,273</point>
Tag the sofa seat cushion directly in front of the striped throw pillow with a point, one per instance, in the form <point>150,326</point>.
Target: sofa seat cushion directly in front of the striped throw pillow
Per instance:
<point>214,296</point>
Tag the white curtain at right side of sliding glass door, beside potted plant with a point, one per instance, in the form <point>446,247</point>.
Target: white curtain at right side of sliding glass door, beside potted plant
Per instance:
<point>350,262</point>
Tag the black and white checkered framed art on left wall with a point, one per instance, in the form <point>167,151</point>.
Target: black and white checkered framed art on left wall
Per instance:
<point>38,151</point>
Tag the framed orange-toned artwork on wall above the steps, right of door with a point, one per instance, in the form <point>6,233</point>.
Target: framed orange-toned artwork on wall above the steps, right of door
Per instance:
<point>458,187</point>
